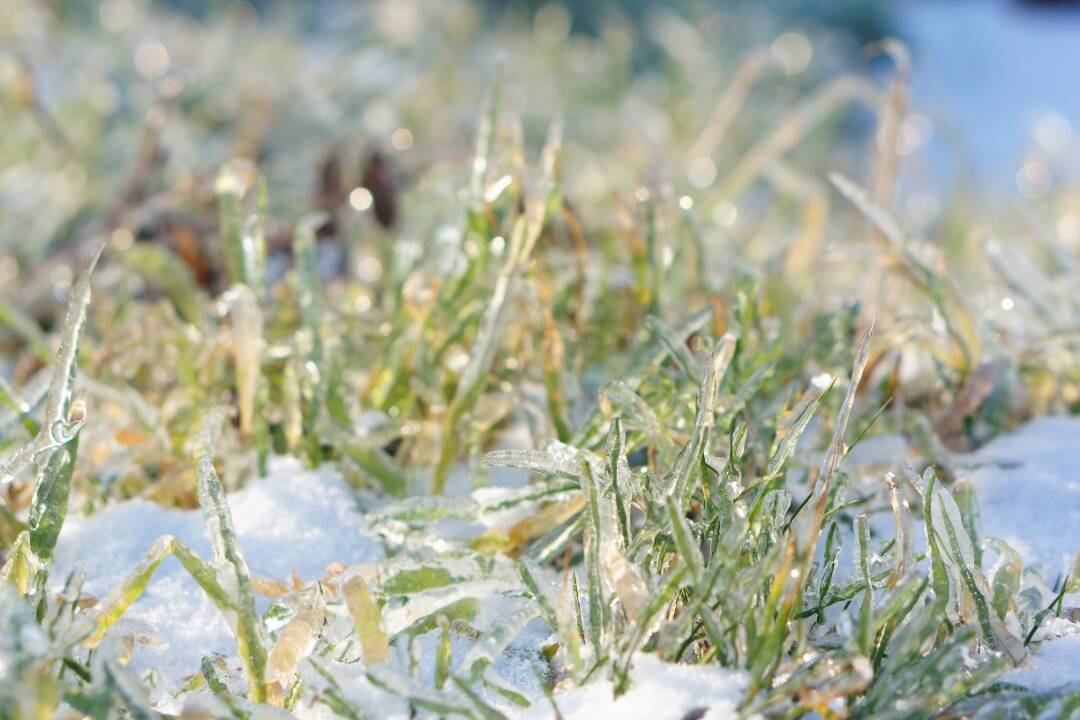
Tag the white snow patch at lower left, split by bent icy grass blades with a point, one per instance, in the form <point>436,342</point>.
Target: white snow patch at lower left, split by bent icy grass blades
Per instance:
<point>292,520</point>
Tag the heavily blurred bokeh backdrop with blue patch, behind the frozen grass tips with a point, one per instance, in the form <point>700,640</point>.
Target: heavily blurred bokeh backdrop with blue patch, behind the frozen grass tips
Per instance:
<point>115,112</point>
